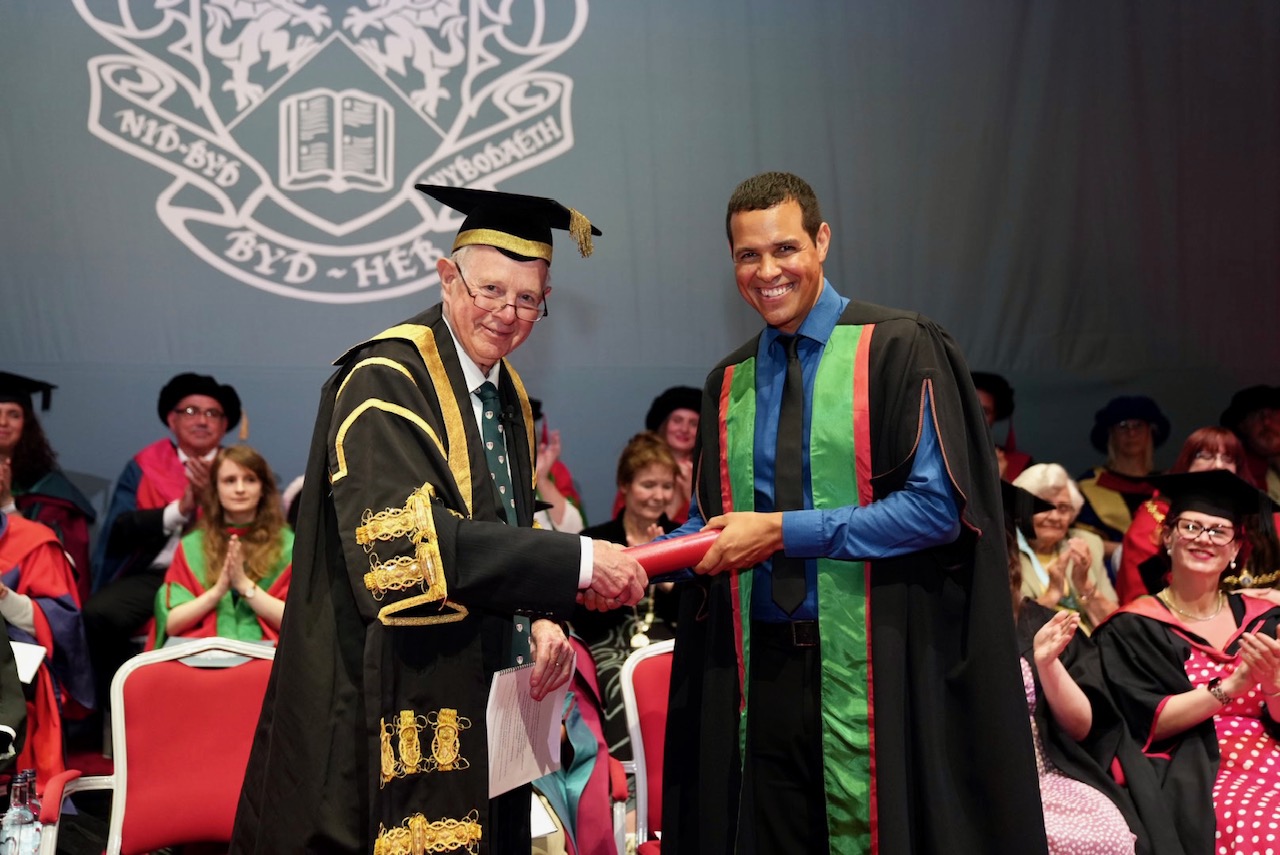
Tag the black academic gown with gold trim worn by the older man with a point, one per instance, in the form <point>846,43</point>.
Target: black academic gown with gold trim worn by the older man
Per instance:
<point>397,482</point>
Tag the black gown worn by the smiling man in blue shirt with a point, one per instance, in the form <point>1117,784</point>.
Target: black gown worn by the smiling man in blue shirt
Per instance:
<point>956,770</point>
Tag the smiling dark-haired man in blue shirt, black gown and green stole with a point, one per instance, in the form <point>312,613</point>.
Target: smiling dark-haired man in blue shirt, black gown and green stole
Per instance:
<point>845,675</point>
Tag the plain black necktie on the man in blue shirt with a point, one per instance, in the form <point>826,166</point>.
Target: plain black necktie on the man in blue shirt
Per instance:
<point>789,586</point>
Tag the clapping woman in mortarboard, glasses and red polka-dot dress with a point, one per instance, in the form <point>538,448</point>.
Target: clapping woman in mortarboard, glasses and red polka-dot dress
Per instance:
<point>1196,674</point>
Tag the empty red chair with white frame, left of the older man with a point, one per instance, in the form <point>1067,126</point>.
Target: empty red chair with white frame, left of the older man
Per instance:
<point>182,724</point>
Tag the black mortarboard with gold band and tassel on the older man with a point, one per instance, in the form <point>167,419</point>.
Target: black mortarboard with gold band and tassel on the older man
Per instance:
<point>516,225</point>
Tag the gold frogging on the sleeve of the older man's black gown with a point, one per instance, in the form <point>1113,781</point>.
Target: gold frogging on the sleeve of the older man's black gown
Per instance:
<point>423,569</point>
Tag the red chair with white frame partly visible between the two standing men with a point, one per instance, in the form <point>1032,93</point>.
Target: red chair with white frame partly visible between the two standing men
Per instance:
<point>646,693</point>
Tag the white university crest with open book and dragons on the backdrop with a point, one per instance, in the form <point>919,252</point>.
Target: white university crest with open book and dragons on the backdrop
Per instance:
<point>296,130</point>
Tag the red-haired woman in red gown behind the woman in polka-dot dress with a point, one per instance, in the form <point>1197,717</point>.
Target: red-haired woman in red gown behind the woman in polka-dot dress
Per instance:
<point>1144,565</point>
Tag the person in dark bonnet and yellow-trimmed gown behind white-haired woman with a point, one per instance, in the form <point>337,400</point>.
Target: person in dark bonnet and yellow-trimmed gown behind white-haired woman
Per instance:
<point>1128,431</point>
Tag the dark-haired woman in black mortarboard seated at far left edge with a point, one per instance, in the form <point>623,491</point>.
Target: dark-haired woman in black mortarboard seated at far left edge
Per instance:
<point>31,482</point>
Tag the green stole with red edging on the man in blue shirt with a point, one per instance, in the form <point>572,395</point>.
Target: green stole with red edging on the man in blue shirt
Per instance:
<point>840,473</point>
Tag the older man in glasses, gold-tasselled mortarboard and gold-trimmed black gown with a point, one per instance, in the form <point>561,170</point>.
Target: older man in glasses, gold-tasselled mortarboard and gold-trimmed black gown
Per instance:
<point>417,571</point>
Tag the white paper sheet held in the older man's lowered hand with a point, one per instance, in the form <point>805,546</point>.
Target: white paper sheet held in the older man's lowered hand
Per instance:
<point>524,734</point>
